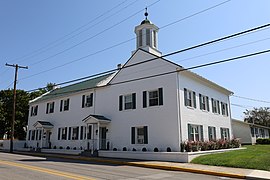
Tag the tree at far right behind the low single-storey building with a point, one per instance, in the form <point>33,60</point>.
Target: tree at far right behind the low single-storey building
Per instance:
<point>260,116</point>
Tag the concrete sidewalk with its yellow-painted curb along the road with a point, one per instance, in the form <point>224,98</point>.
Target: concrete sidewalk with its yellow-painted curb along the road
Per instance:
<point>173,166</point>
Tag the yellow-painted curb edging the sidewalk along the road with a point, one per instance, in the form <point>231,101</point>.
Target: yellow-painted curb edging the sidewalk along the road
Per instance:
<point>138,164</point>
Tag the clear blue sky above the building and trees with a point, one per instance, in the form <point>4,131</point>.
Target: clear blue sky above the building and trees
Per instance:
<point>66,39</point>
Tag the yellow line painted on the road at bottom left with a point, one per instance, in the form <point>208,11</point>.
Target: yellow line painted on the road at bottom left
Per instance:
<point>45,170</point>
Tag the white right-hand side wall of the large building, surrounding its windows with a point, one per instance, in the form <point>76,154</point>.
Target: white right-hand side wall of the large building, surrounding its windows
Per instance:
<point>198,116</point>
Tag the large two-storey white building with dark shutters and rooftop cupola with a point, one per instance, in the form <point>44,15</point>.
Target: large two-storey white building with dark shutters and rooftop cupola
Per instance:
<point>147,103</point>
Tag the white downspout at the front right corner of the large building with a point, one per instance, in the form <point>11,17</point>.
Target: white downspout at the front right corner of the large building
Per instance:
<point>178,111</point>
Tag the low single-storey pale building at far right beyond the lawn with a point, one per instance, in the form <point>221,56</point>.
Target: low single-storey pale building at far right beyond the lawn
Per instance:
<point>248,132</point>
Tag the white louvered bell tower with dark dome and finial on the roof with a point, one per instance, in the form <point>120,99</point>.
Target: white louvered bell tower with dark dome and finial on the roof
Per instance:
<point>146,34</point>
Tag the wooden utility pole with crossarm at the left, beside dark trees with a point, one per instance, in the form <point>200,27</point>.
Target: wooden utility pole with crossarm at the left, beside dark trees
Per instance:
<point>16,66</point>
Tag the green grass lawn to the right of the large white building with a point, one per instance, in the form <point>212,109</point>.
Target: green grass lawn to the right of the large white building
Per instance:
<point>254,157</point>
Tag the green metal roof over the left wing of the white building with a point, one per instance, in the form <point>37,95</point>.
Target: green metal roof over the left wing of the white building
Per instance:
<point>84,85</point>
